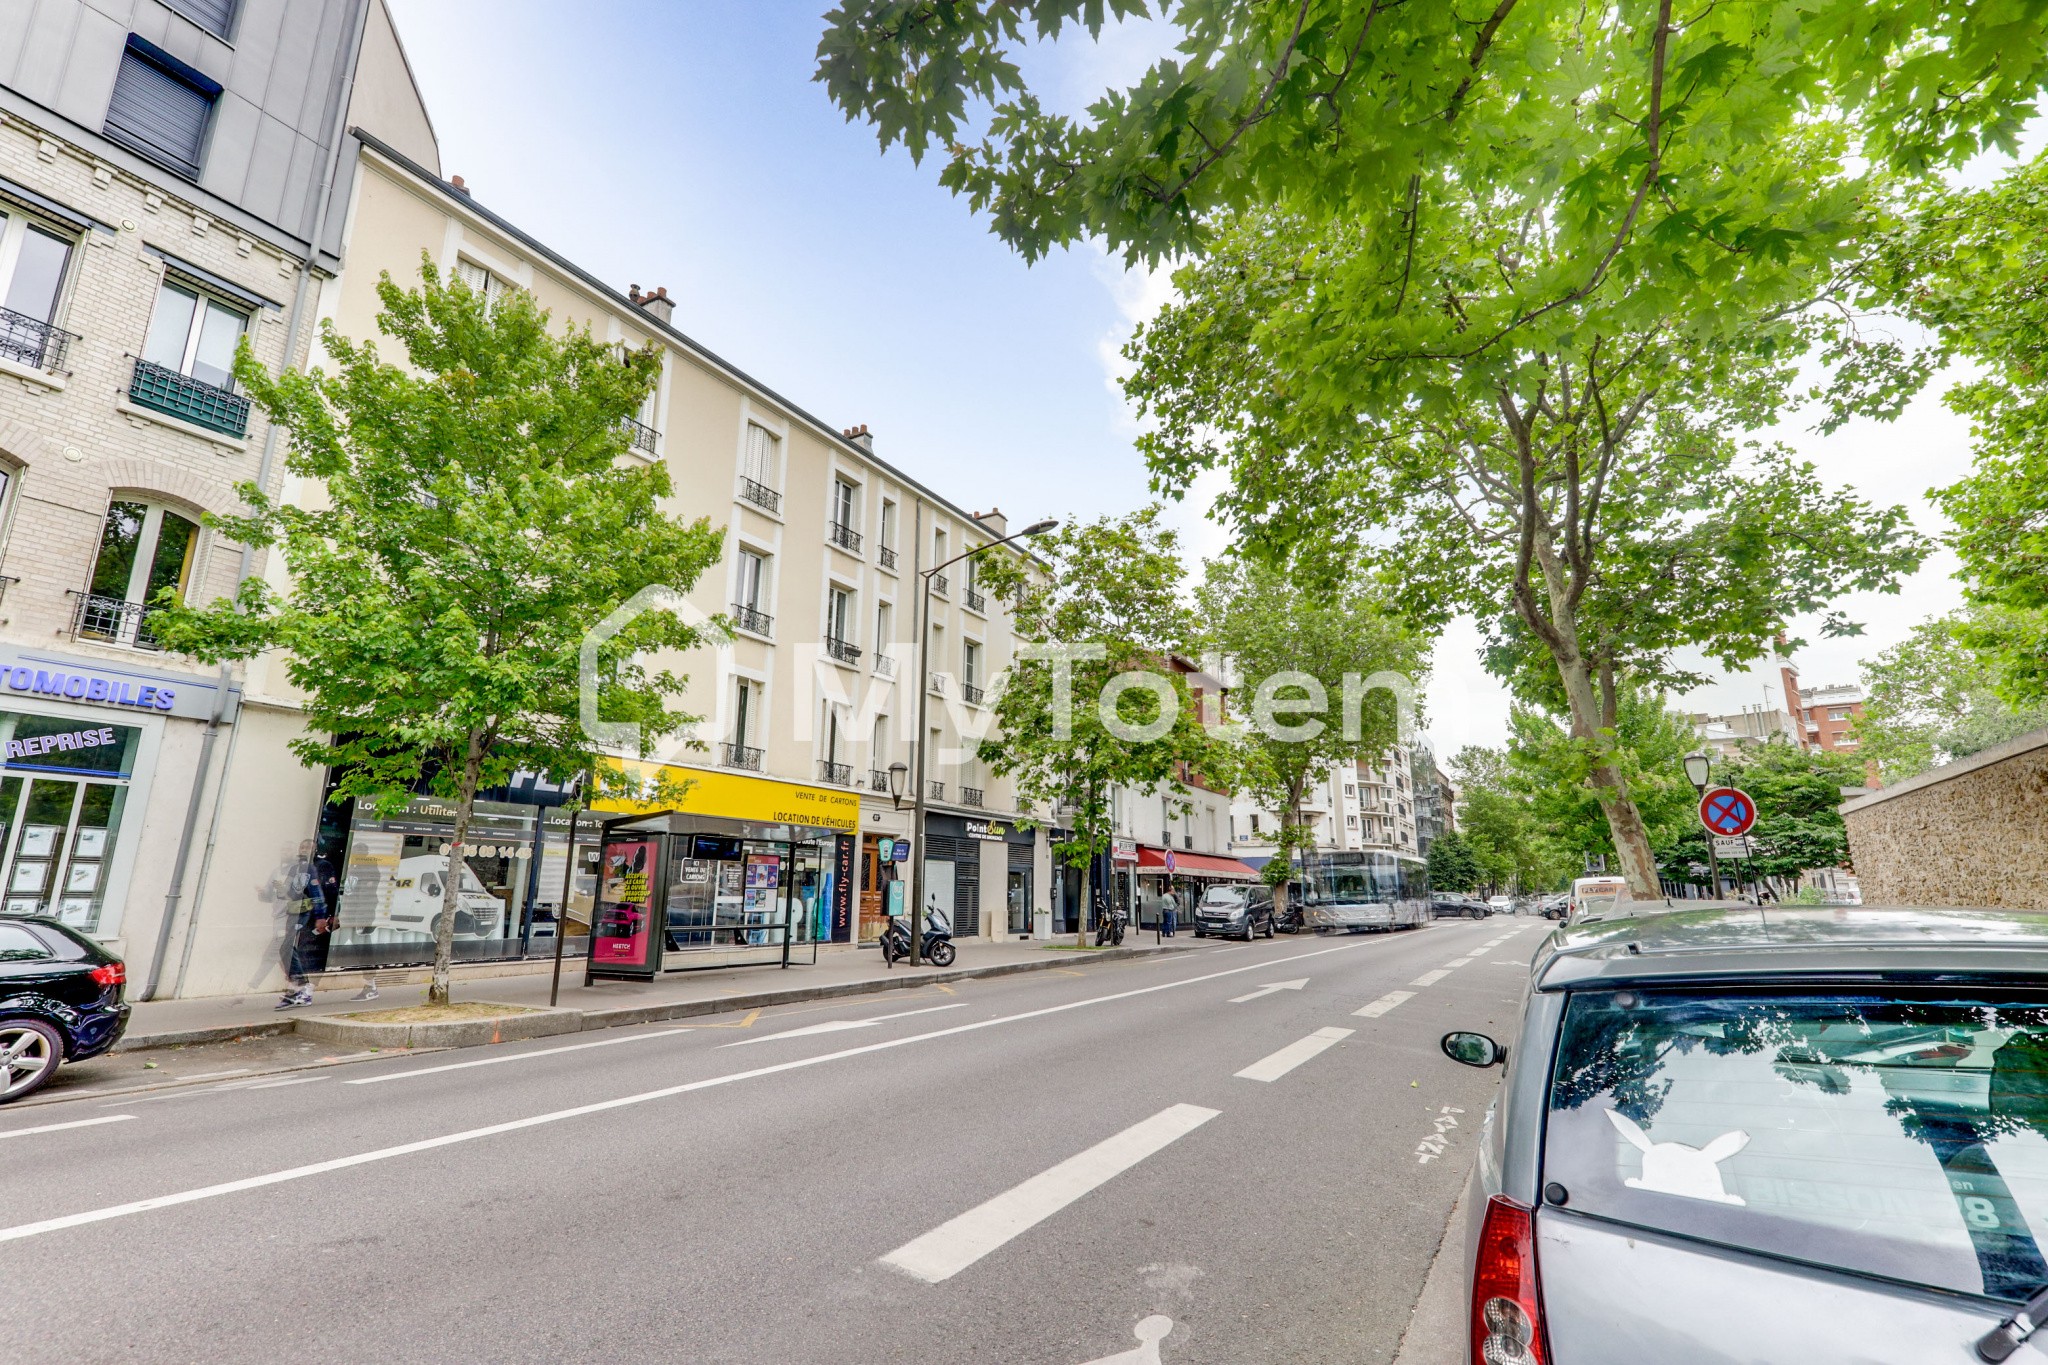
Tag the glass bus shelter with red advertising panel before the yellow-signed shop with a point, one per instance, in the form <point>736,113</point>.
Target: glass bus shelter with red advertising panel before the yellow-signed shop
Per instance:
<point>681,891</point>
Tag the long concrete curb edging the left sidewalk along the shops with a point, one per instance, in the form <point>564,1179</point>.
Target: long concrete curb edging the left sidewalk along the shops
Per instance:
<point>480,1032</point>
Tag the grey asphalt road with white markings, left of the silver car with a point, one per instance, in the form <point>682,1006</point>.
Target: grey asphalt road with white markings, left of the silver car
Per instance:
<point>1119,1163</point>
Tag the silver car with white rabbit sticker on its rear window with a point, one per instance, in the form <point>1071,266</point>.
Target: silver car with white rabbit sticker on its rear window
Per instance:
<point>1738,1137</point>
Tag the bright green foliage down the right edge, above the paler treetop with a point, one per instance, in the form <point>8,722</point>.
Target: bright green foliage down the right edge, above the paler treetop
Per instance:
<point>1975,267</point>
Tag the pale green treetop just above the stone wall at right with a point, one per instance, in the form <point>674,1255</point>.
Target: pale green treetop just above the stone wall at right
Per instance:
<point>1932,699</point>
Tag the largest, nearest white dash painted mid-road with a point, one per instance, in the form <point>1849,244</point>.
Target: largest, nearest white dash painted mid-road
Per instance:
<point>953,1247</point>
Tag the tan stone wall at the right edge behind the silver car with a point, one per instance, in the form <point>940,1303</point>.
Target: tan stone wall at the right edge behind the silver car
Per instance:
<point>1973,834</point>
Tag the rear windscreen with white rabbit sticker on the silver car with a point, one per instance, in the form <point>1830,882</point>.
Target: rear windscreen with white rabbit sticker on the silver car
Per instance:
<point>1889,1135</point>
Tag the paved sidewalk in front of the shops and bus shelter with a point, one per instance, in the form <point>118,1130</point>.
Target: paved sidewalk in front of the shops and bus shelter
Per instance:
<point>839,971</point>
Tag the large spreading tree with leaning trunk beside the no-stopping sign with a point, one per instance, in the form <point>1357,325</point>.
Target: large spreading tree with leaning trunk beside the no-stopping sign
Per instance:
<point>1586,474</point>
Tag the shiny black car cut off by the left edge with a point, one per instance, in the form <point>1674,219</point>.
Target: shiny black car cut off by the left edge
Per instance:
<point>60,1002</point>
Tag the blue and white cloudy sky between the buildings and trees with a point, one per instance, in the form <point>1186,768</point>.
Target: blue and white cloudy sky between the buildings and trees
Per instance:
<point>685,144</point>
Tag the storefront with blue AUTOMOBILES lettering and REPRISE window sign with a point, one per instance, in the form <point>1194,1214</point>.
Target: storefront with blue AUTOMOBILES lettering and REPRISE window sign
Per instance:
<point>97,766</point>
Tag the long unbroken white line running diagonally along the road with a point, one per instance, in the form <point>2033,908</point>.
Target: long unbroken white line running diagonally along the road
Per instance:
<point>624,1102</point>
